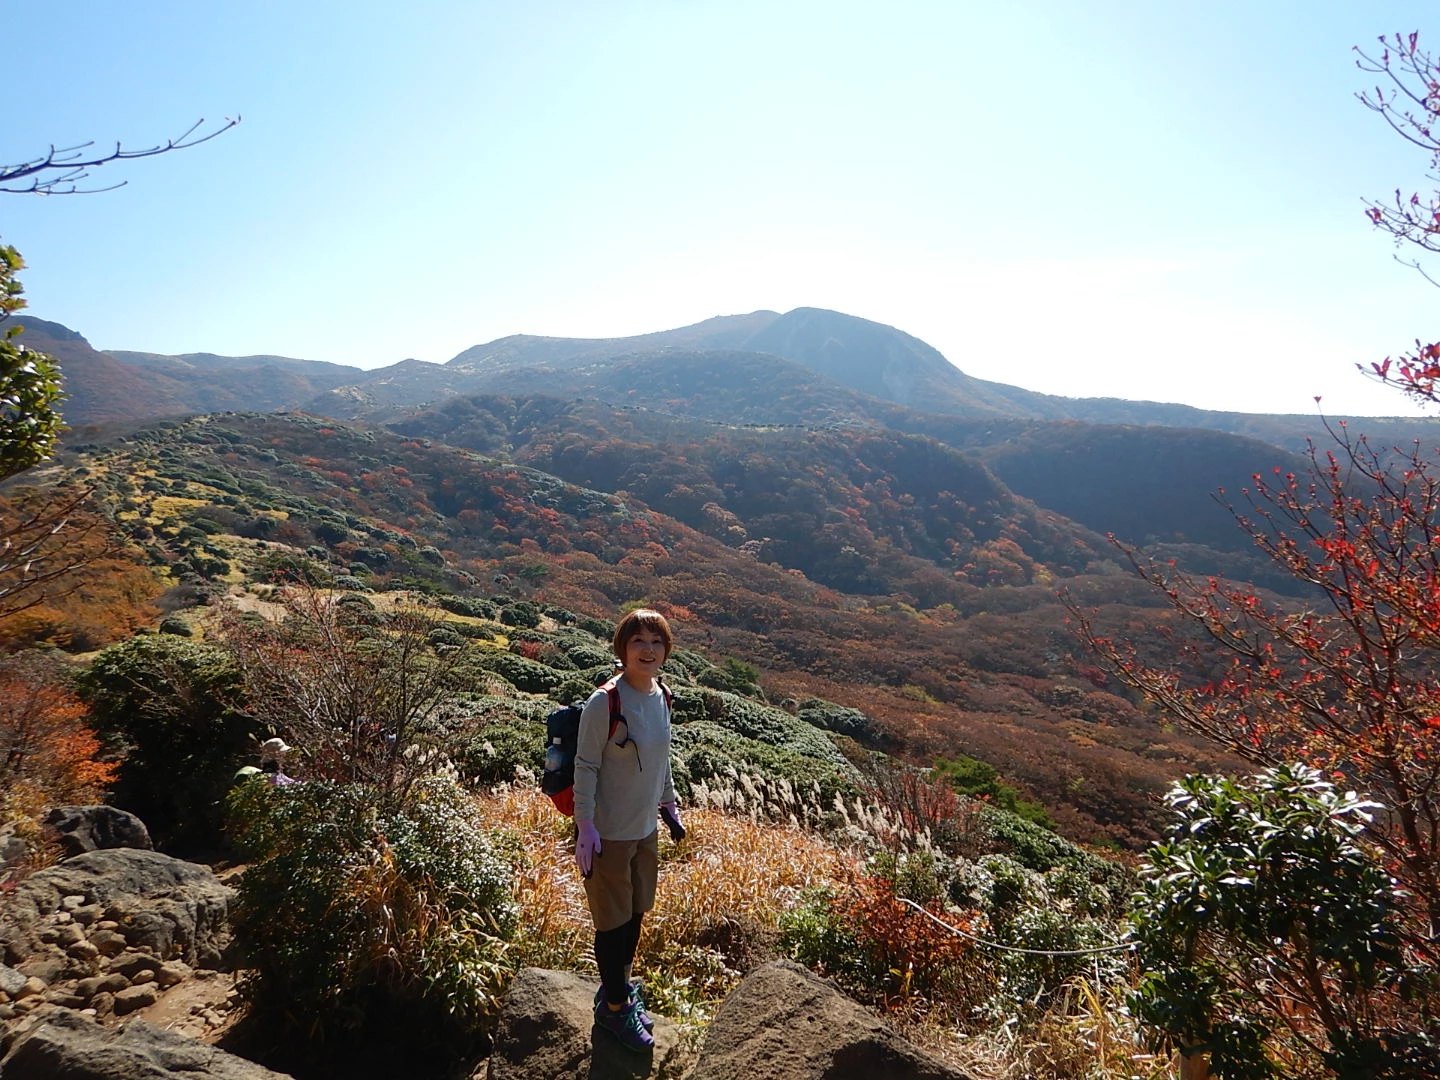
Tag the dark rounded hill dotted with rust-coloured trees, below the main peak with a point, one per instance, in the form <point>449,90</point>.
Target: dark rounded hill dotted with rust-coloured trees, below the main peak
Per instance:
<point>863,512</point>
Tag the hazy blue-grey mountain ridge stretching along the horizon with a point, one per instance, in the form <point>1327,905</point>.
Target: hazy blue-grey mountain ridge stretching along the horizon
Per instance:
<point>881,362</point>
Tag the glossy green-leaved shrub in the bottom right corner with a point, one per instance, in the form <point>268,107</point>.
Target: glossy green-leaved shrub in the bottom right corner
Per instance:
<point>1271,938</point>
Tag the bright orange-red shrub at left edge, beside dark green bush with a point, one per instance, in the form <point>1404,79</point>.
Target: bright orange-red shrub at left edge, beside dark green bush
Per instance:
<point>48,752</point>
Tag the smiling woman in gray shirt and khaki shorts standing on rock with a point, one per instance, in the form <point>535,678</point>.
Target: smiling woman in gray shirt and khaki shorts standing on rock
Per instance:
<point>621,780</point>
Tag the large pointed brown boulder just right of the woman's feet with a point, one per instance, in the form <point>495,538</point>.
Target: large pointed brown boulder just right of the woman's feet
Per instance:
<point>786,1023</point>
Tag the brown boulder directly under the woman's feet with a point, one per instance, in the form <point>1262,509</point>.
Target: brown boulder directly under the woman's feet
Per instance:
<point>548,1032</point>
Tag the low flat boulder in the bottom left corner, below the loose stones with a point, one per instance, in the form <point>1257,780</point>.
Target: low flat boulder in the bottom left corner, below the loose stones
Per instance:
<point>68,1046</point>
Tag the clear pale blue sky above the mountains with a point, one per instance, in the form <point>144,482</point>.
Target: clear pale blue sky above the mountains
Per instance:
<point>1151,201</point>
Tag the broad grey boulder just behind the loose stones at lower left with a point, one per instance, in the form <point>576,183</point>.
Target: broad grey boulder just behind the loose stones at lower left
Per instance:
<point>146,899</point>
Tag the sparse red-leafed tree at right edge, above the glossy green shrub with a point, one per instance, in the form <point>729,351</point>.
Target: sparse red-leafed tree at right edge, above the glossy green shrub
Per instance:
<point>1347,680</point>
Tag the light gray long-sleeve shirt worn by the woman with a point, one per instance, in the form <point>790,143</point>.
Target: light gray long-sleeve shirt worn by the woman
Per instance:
<point>618,787</point>
